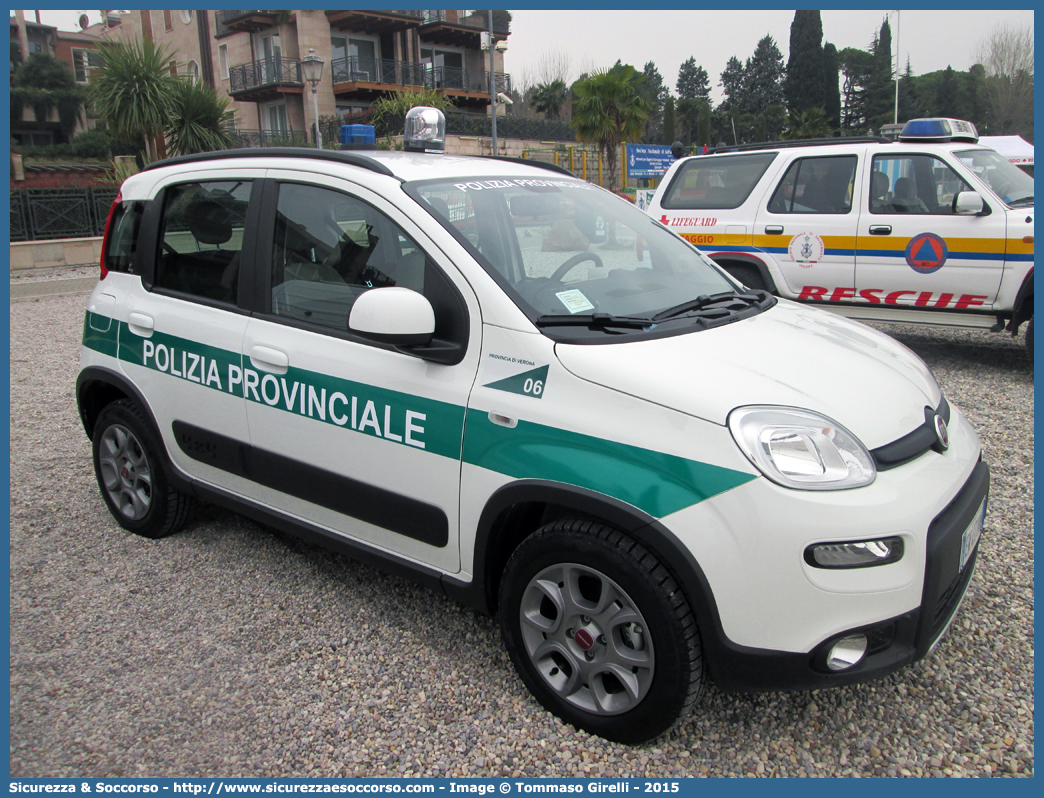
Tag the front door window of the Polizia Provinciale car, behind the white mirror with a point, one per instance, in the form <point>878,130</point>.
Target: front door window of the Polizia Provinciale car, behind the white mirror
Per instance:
<point>330,248</point>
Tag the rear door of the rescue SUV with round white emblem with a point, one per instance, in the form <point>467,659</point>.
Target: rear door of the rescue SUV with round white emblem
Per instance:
<point>811,223</point>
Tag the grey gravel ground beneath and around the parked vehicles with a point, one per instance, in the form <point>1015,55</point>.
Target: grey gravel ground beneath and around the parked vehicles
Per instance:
<point>230,650</point>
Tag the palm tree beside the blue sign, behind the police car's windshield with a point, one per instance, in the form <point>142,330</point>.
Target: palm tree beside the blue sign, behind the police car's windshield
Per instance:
<point>609,110</point>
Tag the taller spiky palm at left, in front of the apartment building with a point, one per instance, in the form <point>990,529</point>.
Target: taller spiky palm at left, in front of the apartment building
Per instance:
<point>135,93</point>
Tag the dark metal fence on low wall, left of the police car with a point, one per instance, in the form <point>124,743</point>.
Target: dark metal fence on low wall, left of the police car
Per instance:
<point>44,214</point>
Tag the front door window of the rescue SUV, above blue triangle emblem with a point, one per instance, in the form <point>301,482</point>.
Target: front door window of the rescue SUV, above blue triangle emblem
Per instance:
<point>914,184</point>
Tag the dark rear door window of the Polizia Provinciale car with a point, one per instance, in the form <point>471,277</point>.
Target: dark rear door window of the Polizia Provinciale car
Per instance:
<point>202,240</point>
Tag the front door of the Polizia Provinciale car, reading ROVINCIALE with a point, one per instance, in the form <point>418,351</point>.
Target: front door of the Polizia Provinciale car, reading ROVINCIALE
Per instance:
<point>347,434</point>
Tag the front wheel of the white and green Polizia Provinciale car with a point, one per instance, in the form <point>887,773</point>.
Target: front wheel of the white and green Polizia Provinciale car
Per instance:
<point>601,632</point>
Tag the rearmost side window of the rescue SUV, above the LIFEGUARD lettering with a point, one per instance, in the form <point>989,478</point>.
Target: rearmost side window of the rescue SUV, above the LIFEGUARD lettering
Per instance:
<point>714,183</point>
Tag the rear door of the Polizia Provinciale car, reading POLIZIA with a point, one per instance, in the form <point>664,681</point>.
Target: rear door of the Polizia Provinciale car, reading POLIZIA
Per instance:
<point>182,334</point>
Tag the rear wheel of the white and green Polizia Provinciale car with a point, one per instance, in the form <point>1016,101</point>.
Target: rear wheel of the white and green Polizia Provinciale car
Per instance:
<point>129,468</point>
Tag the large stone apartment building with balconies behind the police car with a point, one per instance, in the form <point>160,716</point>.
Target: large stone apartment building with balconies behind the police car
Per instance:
<point>255,59</point>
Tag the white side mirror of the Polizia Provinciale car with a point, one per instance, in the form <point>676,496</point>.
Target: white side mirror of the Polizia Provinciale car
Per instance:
<point>395,316</point>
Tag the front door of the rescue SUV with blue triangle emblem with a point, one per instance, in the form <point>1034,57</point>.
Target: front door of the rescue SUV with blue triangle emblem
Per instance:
<point>914,251</point>
